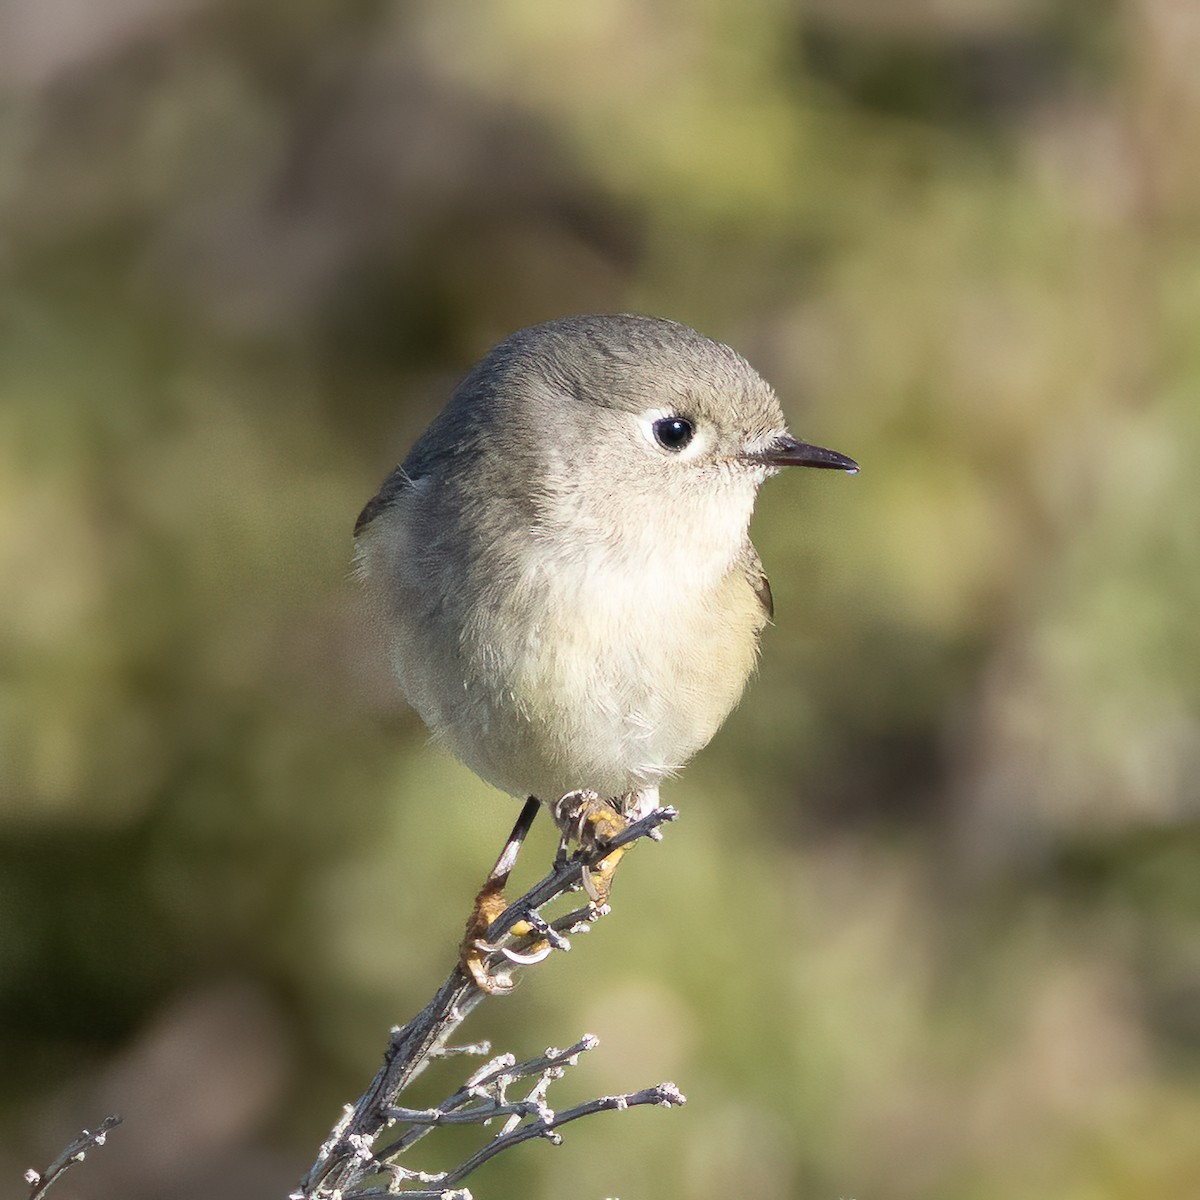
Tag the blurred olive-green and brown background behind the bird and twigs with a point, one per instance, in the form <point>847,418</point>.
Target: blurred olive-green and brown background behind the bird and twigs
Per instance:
<point>929,926</point>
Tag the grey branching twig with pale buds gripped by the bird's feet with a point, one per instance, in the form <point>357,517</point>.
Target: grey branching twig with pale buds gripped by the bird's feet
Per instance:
<point>347,1160</point>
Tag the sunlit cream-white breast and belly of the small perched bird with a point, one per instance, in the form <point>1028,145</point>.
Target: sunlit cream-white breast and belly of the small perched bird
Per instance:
<point>614,676</point>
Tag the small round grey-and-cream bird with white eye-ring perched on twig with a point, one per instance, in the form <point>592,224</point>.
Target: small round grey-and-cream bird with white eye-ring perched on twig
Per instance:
<point>563,566</point>
